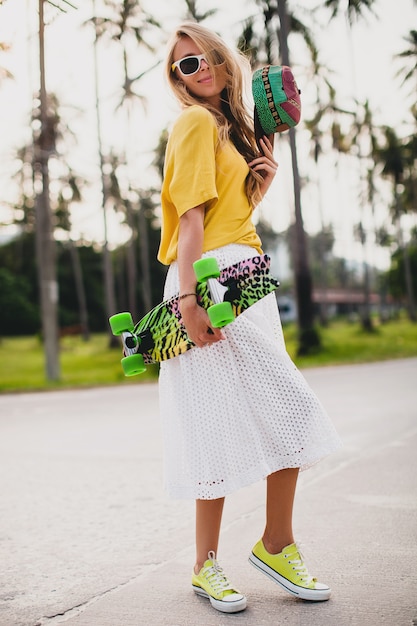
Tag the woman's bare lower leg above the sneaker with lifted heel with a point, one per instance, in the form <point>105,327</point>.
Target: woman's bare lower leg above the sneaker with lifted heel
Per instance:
<point>279,507</point>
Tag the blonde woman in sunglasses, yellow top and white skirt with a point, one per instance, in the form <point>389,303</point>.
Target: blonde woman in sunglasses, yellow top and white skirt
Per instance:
<point>234,409</point>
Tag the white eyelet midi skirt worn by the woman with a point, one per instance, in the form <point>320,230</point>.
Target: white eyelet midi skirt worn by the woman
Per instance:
<point>236,411</point>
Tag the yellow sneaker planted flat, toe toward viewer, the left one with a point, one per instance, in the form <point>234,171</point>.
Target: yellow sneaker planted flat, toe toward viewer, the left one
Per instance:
<point>212,583</point>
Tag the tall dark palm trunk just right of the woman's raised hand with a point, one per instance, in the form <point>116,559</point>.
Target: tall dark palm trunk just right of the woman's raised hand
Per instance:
<point>308,338</point>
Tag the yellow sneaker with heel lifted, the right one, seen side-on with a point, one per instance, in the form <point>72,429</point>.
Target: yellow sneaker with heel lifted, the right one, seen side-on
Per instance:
<point>288,570</point>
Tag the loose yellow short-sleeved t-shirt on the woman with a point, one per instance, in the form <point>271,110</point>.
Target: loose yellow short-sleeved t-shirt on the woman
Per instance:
<point>198,172</point>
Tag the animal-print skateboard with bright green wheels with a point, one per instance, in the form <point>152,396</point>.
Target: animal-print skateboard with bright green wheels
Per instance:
<point>225,294</point>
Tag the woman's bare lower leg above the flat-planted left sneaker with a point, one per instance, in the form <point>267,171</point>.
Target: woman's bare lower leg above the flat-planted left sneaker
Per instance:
<point>208,520</point>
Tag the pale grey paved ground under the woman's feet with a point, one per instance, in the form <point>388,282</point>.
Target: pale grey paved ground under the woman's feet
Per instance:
<point>87,536</point>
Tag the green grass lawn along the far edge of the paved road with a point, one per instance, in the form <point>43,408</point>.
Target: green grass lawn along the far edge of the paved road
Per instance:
<point>86,364</point>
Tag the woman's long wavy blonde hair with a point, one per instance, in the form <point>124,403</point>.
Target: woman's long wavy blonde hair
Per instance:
<point>233,121</point>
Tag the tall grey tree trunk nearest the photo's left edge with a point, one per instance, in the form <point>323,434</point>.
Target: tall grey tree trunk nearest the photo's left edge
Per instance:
<point>45,243</point>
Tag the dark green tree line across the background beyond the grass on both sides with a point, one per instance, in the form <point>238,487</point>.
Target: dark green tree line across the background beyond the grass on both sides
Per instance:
<point>82,309</point>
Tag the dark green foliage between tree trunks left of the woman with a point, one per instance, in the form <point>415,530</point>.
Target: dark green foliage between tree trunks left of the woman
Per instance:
<point>19,301</point>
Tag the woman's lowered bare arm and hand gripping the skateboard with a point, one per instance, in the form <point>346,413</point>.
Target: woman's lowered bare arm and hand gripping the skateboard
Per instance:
<point>190,247</point>
